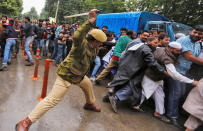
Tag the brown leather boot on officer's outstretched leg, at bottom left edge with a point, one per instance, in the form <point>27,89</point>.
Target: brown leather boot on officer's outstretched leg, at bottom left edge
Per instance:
<point>24,125</point>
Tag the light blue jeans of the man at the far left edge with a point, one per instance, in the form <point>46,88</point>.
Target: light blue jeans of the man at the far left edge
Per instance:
<point>7,51</point>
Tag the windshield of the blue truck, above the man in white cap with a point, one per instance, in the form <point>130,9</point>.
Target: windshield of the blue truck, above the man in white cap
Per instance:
<point>181,28</point>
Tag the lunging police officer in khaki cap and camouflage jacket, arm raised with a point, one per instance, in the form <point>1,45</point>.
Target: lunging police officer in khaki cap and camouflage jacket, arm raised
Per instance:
<point>72,71</point>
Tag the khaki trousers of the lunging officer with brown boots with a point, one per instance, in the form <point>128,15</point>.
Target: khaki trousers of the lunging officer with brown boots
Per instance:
<point>58,91</point>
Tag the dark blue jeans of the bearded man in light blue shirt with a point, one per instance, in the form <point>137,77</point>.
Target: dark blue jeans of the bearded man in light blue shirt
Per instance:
<point>176,90</point>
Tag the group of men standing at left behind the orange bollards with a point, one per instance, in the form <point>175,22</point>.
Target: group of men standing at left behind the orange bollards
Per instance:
<point>41,34</point>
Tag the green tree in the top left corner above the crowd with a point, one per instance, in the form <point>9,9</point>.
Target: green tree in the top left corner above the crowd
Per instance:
<point>11,7</point>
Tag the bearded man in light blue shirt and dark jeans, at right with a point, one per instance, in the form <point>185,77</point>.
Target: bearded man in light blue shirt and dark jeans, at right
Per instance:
<point>190,52</point>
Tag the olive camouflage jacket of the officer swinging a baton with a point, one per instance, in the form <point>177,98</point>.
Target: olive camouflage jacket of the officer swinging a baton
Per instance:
<point>82,54</point>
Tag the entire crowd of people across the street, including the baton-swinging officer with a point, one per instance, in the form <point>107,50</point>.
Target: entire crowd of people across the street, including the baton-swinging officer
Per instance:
<point>143,64</point>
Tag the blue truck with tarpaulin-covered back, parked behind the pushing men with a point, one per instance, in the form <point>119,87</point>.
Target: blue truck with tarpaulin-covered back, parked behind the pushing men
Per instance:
<point>141,21</point>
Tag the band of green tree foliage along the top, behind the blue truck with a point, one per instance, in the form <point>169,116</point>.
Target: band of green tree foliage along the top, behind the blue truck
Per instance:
<point>183,11</point>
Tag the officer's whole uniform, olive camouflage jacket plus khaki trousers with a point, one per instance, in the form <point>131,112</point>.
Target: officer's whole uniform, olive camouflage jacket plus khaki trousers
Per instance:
<point>71,71</point>
